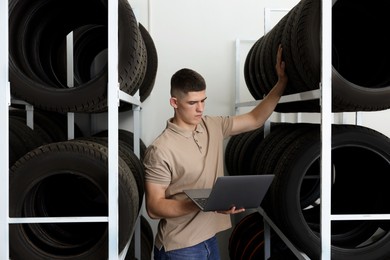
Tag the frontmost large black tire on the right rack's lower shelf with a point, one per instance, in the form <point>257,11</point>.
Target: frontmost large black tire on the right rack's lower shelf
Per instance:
<point>354,193</point>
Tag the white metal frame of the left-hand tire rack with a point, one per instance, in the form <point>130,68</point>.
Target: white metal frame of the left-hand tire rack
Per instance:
<point>114,97</point>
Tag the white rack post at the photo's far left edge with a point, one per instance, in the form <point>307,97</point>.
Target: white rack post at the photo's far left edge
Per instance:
<point>4,140</point>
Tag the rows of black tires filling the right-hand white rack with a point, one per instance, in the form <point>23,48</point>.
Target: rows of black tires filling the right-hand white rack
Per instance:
<point>292,151</point>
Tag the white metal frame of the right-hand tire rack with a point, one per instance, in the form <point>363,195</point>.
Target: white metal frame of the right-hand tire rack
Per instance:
<point>324,95</point>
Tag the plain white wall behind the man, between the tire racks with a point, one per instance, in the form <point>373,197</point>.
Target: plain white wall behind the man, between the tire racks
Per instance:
<point>200,35</point>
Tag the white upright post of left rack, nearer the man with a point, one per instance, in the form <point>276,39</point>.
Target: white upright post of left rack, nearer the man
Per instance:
<point>113,103</point>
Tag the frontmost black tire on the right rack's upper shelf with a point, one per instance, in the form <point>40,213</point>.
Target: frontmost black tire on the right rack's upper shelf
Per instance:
<point>360,79</point>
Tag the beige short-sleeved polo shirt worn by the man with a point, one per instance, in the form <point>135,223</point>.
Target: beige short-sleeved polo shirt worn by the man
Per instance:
<point>188,159</point>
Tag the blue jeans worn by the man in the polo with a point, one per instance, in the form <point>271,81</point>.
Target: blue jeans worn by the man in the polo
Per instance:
<point>206,250</point>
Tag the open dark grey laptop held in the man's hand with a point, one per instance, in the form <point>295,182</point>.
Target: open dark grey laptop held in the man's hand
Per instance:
<point>241,191</point>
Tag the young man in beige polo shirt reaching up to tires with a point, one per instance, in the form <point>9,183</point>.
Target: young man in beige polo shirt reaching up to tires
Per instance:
<point>189,154</point>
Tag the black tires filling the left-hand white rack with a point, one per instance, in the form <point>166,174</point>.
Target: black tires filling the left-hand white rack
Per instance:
<point>51,176</point>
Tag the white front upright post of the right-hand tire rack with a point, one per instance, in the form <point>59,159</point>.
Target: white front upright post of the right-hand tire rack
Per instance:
<point>326,123</point>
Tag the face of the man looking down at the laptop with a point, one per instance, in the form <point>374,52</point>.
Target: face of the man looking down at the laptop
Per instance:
<point>189,108</point>
